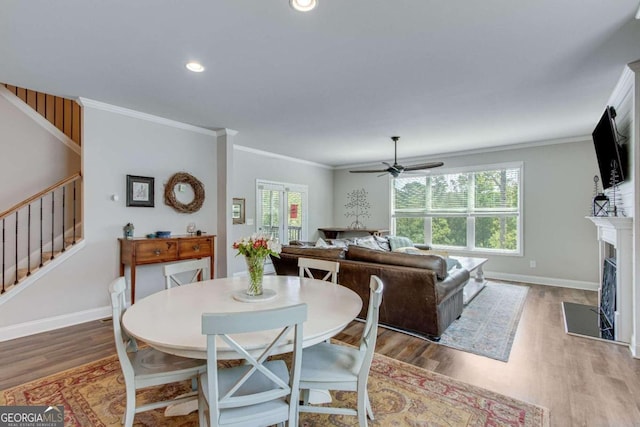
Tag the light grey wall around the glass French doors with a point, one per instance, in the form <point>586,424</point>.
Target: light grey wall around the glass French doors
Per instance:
<point>250,165</point>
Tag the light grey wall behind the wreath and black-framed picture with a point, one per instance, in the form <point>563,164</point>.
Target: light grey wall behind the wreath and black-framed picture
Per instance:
<point>115,145</point>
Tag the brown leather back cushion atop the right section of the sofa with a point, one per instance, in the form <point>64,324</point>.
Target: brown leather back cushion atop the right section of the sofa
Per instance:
<point>432,262</point>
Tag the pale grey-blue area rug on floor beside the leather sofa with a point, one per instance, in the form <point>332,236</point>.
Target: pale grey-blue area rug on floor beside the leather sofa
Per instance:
<point>489,322</point>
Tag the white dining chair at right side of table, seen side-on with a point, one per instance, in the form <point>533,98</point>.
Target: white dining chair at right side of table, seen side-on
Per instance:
<point>328,366</point>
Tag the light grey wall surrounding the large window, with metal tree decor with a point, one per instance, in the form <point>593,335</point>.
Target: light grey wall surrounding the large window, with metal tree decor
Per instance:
<point>558,187</point>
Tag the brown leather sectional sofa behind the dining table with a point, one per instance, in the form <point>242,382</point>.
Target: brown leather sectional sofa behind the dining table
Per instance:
<point>420,295</point>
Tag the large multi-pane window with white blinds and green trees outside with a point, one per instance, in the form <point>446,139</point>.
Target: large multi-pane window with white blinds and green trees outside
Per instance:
<point>475,210</point>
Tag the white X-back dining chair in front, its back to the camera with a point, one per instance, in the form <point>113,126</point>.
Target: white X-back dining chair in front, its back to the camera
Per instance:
<point>259,392</point>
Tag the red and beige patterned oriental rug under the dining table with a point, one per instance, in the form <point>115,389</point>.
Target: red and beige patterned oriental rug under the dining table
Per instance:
<point>401,395</point>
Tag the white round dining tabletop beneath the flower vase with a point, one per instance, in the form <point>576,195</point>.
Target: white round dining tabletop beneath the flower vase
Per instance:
<point>171,320</point>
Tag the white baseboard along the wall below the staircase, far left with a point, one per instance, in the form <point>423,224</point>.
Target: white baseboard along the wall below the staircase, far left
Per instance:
<point>44,325</point>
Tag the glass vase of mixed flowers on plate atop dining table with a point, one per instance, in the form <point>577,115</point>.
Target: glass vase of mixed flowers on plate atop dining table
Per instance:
<point>255,250</point>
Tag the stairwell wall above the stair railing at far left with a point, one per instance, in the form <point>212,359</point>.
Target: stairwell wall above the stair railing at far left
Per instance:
<point>32,159</point>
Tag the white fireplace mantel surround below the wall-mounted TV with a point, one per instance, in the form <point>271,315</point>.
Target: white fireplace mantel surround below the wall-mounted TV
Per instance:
<point>618,232</point>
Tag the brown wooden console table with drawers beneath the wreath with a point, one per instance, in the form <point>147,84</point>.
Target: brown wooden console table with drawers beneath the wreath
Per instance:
<point>141,251</point>
